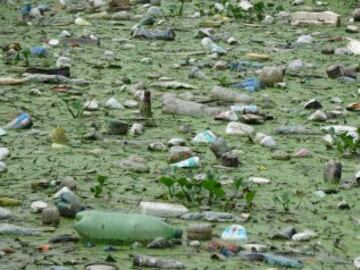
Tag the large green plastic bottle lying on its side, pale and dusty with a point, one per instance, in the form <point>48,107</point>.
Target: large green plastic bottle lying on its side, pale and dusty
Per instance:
<point>121,227</point>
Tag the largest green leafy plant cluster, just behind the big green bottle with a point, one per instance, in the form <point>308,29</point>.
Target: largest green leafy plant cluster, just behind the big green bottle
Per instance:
<point>209,190</point>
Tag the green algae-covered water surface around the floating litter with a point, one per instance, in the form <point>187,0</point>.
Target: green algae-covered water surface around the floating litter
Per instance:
<point>297,195</point>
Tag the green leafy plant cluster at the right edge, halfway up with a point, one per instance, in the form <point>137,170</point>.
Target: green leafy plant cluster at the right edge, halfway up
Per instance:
<point>346,144</point>
